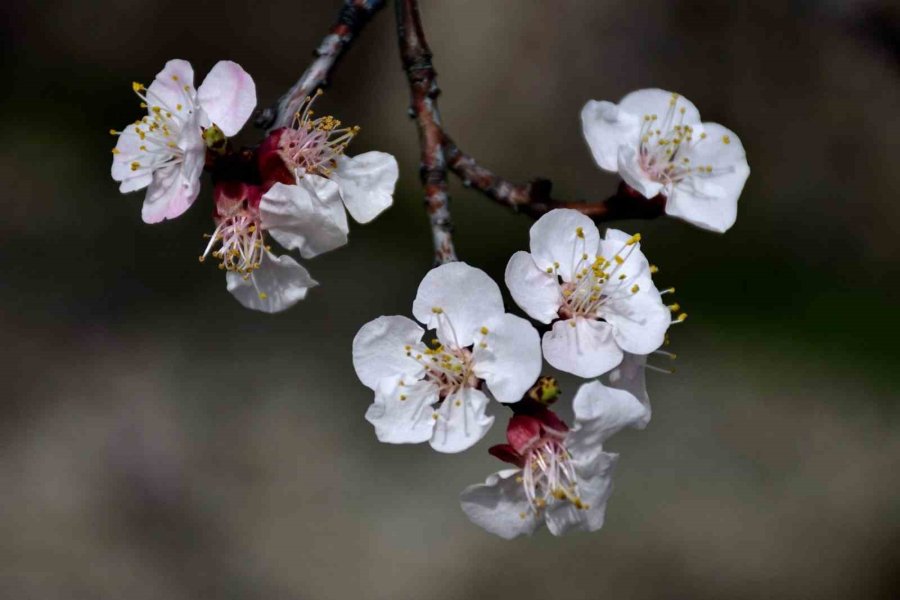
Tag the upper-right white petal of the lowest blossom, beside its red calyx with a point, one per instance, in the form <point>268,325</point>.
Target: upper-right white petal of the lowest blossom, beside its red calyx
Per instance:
<point>601,411</point>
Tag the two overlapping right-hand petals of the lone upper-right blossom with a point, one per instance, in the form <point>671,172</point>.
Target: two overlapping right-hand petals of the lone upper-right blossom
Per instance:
<point>710,200</point>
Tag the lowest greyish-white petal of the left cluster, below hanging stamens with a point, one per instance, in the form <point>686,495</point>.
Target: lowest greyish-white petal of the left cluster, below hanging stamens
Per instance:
<point>278,284</point>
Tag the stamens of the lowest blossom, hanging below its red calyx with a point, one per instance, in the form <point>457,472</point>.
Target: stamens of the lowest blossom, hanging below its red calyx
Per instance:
<point>549,476</point>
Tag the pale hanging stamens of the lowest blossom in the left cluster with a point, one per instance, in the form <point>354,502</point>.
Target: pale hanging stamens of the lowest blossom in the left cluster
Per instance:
<point>240,242</point>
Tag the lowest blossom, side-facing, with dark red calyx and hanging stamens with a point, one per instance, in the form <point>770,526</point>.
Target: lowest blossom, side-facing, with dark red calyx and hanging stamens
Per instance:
<point>564,478</point>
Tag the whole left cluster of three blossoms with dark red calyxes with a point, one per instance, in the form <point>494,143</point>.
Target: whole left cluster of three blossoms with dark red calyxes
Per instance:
<point>295,188</point>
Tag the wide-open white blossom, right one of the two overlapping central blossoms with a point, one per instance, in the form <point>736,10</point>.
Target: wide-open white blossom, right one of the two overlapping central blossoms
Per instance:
<point>599,293</point>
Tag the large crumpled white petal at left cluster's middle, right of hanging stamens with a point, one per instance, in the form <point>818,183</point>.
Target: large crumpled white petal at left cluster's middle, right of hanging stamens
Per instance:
<point>307,216</point>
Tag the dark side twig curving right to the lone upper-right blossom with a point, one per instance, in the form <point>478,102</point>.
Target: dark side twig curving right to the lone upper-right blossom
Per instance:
<point>534,200</point>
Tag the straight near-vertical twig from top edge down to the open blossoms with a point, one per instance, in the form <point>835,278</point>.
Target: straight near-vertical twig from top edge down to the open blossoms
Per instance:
<point>416,57</point>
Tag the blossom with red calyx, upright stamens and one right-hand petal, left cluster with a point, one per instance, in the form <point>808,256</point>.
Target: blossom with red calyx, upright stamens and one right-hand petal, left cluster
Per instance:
<point>314,148</point>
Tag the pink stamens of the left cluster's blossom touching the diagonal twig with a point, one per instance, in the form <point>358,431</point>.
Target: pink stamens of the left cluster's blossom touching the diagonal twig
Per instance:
<point>313,145</point>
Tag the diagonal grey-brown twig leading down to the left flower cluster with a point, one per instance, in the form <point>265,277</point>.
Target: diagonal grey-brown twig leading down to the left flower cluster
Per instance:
<point>353,17</point>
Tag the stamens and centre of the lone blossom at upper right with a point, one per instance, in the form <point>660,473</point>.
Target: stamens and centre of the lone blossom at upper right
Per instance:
<point>664,144</point>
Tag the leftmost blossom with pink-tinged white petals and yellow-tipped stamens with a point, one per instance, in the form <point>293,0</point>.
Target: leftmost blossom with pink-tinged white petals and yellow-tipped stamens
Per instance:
<point>165,151</point>
